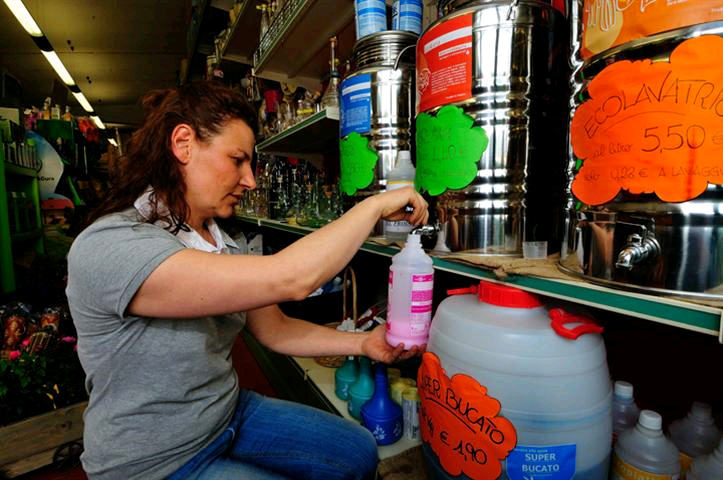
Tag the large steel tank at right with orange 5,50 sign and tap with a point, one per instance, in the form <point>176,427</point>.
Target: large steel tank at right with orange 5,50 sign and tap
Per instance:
<point>646,200</point>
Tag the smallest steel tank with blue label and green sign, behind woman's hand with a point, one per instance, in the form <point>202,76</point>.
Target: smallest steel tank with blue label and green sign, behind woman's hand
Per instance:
<point>377,104</point>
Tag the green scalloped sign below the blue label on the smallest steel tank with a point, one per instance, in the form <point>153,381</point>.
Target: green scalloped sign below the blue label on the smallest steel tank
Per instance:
<point>357,163</point>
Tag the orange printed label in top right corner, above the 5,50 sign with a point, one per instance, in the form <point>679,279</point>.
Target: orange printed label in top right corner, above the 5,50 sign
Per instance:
<point>608,23</point>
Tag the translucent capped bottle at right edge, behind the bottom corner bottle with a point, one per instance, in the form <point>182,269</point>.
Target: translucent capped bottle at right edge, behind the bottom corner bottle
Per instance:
<point>695,434</point>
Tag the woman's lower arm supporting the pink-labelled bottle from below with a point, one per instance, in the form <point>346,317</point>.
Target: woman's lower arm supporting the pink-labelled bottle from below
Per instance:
<point>291,336</point>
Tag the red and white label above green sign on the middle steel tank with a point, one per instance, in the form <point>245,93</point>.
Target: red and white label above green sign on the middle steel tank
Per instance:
<point>444,63</point>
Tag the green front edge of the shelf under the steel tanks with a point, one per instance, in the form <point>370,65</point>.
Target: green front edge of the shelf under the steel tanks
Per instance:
<point>678,313</point>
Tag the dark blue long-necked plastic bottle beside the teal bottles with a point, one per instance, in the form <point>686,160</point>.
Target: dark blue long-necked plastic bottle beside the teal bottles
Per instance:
<point>381,415</point>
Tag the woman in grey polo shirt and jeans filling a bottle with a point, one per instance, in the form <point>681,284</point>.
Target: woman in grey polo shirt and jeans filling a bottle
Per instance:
<point>155,298</point>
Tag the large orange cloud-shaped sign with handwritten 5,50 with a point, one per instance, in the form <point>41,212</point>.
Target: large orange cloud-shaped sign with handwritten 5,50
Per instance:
<point>653,127</point>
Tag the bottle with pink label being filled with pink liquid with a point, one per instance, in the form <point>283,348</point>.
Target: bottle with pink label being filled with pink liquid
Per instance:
<point>409,303</point>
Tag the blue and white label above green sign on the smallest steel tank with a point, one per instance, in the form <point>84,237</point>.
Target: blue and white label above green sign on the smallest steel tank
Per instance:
<point>356,104</point>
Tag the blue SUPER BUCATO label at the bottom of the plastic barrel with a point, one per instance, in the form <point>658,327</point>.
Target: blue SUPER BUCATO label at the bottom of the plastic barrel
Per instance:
<point>552,462</point>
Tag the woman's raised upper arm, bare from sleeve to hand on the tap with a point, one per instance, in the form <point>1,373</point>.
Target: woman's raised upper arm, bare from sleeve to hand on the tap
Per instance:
<point>192,283</point>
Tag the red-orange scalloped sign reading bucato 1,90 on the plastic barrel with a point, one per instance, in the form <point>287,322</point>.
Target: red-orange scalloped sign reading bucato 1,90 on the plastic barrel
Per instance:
<point>459,422</point>
